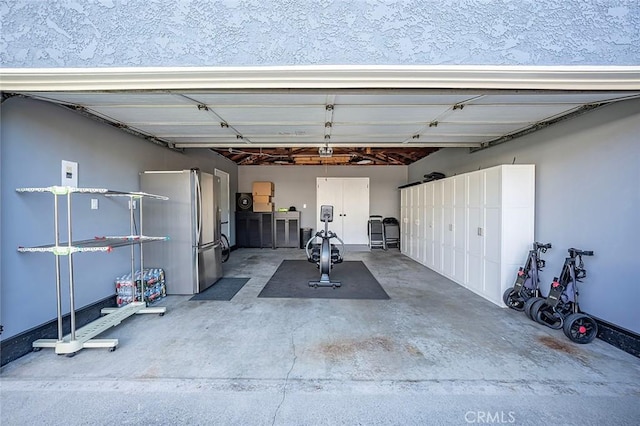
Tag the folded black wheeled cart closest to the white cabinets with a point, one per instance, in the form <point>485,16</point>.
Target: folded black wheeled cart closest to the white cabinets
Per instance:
<point>527,284</point>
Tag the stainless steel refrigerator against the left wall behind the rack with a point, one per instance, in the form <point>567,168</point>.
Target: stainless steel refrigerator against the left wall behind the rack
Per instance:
<point>192,257</point>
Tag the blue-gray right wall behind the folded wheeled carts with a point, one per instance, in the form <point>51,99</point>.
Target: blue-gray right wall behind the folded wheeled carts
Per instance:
<point>587,196</point>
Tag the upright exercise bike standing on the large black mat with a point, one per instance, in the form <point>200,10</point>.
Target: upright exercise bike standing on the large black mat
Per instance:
<point>325,254</point>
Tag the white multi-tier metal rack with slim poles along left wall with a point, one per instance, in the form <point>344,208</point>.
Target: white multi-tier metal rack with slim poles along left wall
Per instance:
<point>84,337</point>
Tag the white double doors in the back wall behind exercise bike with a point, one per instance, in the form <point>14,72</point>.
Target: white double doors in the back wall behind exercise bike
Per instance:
<point>350,200</point>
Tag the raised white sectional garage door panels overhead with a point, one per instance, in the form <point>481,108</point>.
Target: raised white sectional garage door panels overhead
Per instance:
<point>260,118</point>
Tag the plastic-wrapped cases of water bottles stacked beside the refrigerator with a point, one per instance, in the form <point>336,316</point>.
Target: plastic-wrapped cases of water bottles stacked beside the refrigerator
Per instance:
<point>154,286</point>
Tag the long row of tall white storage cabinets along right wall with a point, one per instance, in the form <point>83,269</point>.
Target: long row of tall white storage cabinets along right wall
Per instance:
<point>475,228</point>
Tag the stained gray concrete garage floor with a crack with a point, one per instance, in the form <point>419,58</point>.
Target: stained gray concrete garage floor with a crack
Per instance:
<point>434,354</point>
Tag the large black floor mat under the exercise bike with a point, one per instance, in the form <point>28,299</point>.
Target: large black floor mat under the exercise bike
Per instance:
<point>292,277</point>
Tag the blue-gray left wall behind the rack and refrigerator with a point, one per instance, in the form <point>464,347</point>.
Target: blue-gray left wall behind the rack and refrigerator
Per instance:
<point>35,138</point>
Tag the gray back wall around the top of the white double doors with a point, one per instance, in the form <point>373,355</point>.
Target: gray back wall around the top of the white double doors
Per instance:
<point>296,186</point>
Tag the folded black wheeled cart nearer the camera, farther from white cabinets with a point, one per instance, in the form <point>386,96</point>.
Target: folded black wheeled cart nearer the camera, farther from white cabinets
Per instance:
<point>560,309</point>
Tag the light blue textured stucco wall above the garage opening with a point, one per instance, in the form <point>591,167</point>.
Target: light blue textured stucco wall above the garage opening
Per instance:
<point>106,33</point>
